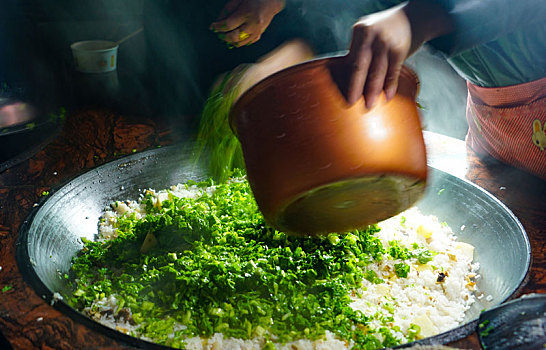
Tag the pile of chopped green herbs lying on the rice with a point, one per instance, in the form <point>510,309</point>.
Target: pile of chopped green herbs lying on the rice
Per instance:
<point>217,267</point>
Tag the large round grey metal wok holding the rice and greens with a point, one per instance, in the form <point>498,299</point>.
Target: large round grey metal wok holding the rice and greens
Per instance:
<point>51,236</point>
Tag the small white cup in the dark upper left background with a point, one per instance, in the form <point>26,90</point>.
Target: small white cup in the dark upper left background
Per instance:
<point>95,56</point>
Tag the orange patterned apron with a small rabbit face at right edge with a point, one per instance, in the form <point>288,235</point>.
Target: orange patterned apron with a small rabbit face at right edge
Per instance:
<point>509,123</point>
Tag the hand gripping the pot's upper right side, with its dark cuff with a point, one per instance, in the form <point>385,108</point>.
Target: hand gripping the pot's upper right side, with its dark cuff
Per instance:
<point>381,43</point>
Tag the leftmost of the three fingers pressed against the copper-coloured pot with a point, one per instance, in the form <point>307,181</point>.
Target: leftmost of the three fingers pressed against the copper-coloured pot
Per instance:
<point>359,59</point>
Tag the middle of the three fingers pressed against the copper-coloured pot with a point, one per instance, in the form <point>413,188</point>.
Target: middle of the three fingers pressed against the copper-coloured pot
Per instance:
<point>377,71</point>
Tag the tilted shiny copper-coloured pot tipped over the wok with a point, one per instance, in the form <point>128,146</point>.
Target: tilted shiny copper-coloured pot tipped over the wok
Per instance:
<point>317,165</point>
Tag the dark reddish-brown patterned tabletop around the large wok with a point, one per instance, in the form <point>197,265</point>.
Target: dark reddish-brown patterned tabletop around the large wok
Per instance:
<point>92,137</point>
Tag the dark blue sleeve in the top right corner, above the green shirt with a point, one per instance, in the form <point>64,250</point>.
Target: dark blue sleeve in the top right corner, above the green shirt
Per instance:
<point>480,21</point>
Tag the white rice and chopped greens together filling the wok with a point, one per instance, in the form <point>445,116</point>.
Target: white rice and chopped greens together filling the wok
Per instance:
<point>195,266</point>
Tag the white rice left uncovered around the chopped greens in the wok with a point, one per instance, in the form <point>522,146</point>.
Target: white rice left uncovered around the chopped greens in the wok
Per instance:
<point>418,299</point>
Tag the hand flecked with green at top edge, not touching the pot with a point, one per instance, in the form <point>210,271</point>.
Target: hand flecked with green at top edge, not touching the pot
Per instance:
<point>242,22</point>
